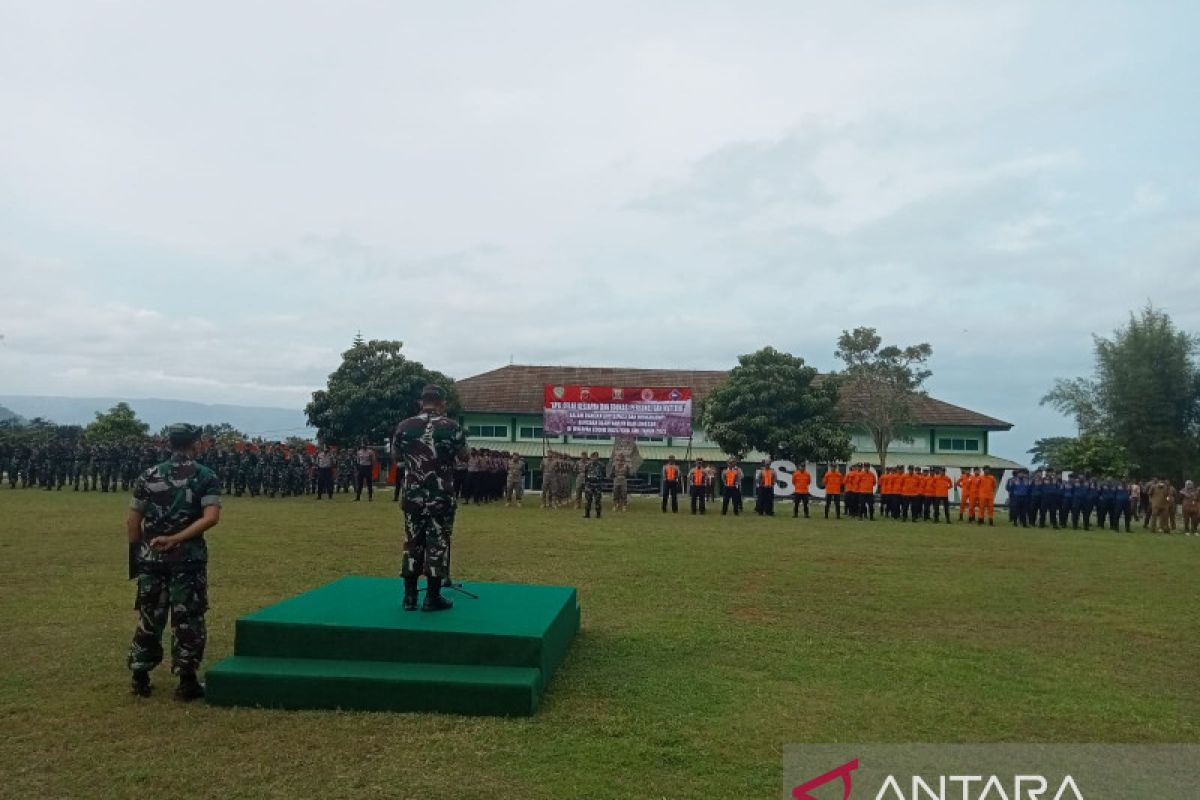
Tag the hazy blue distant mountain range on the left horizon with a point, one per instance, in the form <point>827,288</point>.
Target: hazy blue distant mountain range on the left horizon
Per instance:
<point>253,420</point>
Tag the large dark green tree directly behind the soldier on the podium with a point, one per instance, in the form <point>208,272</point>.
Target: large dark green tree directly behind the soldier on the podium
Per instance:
<point>374,389</point>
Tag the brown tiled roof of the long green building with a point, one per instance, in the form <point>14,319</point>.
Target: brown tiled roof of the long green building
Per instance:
<point>518,389</point>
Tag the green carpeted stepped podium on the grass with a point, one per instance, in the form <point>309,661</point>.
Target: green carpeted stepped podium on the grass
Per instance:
<point>350,646</point>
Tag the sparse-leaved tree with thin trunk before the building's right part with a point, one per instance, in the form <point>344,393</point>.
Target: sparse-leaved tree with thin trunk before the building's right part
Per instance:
<point>883,384</point>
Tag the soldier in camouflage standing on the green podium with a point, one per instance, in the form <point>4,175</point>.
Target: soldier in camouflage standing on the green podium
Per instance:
<point>433,446</point>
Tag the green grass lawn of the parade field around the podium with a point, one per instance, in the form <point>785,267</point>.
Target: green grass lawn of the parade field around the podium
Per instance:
<point>707,645</point>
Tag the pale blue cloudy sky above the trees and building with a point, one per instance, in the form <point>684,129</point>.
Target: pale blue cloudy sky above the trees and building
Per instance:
<point>209,201</point>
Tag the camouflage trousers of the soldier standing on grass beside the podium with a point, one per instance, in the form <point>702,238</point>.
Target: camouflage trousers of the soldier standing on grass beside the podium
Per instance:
<point>184,593</point>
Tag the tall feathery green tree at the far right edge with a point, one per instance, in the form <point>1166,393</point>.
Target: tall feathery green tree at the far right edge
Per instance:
<point>1144,394</point>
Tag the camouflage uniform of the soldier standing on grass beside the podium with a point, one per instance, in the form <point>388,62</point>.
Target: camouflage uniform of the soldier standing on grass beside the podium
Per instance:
<point>171,497</point>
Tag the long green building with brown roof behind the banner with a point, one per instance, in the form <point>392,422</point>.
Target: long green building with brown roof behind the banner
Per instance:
<point>503,411</point>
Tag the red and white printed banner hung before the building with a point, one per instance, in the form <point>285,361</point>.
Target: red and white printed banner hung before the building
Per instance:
<point>615,411</point>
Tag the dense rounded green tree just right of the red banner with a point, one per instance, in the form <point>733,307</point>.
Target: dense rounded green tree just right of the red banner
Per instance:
<point>772,402</point>
